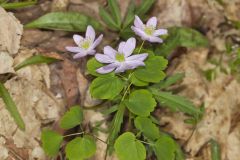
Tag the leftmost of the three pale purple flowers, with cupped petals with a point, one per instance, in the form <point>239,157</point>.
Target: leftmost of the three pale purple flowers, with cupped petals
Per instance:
<point>85,46</point>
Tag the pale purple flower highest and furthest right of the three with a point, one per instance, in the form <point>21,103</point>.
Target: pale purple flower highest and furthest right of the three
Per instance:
<point>148,31</point>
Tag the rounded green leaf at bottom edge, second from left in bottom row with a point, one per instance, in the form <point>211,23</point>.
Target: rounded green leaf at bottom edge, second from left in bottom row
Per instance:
<point>81,148</point>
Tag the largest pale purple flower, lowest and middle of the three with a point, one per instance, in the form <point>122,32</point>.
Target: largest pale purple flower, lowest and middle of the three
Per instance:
<point>122,59</point>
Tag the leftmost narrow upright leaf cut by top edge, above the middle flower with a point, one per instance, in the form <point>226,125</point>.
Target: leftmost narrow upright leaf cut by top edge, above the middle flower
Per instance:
<point>115,10</point>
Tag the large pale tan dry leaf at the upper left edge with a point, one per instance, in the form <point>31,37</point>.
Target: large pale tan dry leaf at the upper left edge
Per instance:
<point>10,32</point>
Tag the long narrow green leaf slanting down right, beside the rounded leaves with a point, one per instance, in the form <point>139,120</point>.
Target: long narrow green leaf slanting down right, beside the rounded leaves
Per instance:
<point>175,102</point>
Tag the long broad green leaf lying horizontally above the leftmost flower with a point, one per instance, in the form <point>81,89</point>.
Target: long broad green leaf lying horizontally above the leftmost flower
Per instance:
<point>67,21</point>
